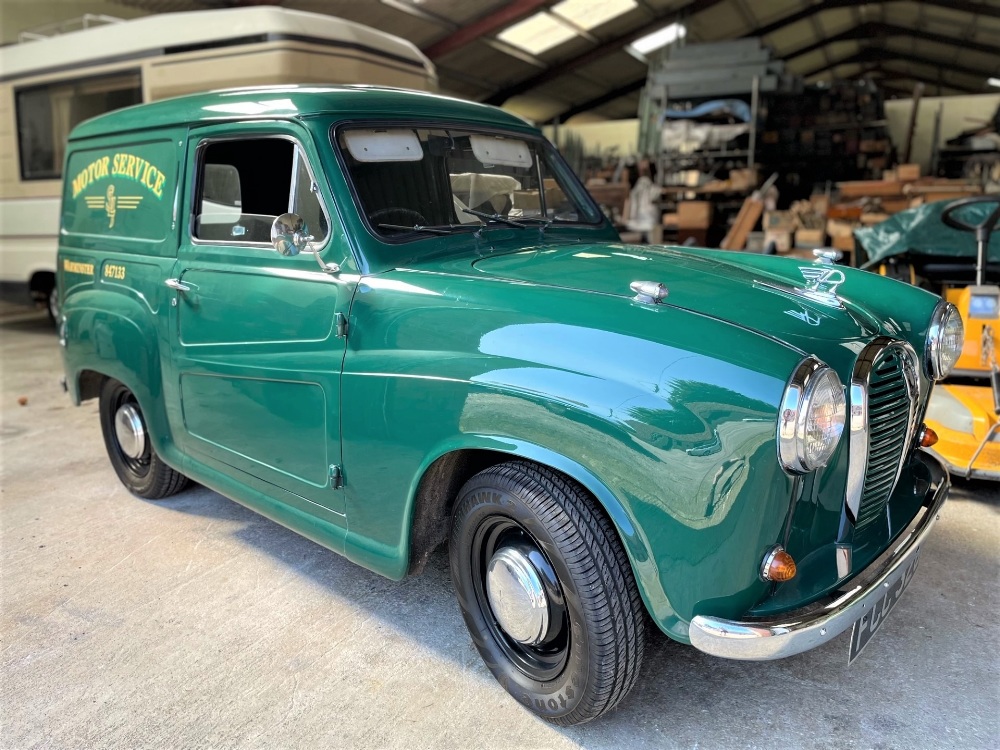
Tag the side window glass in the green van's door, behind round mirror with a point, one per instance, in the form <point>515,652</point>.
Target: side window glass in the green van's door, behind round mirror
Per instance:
<point>245,184</point>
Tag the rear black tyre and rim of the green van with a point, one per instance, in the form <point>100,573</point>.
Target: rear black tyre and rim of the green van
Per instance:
<point>140,469</point>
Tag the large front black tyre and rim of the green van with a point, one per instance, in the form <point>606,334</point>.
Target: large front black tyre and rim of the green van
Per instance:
<point>590,654</point>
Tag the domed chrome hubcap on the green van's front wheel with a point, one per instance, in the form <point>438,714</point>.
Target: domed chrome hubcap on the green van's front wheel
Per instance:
<point>517,596</point>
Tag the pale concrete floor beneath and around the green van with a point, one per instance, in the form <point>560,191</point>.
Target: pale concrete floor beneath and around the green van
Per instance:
<point>195,623</point>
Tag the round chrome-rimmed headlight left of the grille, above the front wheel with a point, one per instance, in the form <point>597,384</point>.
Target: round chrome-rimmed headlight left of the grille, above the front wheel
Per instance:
<point>813,412</point>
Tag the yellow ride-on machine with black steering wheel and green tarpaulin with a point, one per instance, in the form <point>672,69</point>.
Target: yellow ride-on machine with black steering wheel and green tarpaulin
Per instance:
<point>964,411</point>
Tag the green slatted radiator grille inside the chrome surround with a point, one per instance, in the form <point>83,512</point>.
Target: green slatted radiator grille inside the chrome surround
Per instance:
<point>889,413</point>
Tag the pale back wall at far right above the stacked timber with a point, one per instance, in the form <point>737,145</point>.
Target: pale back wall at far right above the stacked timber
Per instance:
<point>959,113</point>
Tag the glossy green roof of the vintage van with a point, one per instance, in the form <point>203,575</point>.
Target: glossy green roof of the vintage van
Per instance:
<point>292,102</point>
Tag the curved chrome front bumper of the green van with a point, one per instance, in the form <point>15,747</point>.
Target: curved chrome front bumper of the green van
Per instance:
<point>774,639</point>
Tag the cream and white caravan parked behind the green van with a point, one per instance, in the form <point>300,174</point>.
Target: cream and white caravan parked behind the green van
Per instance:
<point>48,85</point>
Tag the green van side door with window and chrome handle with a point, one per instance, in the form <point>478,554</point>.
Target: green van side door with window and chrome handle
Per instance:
<point>258,350</point>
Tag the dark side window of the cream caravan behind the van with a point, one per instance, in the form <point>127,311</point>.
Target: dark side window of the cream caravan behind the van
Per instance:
<point>46,114</point>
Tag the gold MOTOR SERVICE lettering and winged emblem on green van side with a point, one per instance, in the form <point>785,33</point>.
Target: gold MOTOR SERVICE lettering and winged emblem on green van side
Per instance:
<point>120,166</point>
